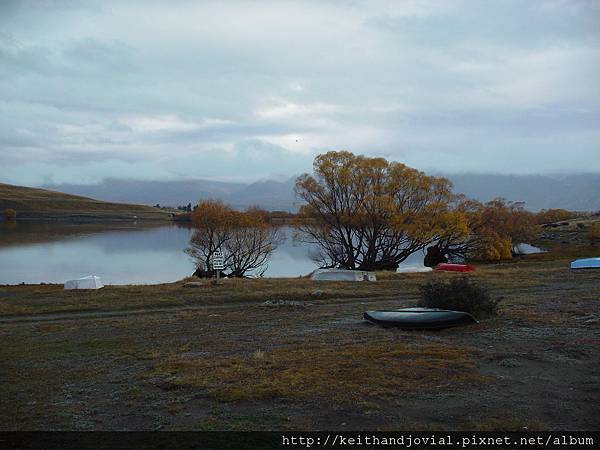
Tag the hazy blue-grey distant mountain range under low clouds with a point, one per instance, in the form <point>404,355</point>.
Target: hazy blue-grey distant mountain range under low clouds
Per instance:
<point>580,192</point>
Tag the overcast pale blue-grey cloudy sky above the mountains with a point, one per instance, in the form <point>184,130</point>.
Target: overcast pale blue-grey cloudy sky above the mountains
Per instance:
<point>240,90</point>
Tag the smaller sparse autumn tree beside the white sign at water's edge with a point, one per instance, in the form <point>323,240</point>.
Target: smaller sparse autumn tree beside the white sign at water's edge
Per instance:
<point>245,238</point>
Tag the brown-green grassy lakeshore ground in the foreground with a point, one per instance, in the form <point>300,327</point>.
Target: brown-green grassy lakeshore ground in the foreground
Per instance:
<point>218,357</point>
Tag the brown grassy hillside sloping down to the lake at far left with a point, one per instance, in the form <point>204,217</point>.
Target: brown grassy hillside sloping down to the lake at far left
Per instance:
<point>32,203</point>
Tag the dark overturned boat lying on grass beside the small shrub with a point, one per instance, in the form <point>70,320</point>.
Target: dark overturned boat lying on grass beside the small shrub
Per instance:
<point>419,318</point>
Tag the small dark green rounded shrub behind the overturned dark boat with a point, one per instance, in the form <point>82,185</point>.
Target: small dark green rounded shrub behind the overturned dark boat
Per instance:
<point>459,294</point>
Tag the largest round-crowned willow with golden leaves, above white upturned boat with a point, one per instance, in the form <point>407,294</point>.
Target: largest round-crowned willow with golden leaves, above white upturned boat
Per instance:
<point>371,214</point>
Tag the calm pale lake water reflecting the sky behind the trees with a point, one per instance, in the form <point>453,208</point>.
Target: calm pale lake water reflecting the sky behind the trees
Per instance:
<point>123,253</point>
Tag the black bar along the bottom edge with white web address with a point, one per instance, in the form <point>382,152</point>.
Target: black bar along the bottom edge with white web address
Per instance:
<point>66,440</point>
